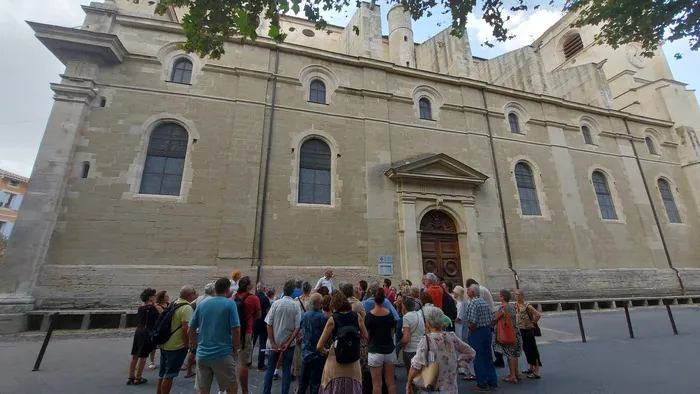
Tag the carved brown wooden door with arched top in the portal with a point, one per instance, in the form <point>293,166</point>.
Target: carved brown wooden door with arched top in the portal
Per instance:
<point>440,247</point>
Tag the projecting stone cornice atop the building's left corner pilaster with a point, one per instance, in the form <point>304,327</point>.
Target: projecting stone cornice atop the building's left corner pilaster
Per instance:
<point>76,44</point>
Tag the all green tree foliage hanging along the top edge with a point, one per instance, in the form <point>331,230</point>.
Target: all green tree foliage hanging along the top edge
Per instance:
<point>209,23</point>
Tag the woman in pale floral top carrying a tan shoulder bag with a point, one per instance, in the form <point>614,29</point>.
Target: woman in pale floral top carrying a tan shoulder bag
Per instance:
<point>447,349</point>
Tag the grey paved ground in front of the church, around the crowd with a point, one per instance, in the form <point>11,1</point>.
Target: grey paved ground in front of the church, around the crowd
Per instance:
<point>655,361</point>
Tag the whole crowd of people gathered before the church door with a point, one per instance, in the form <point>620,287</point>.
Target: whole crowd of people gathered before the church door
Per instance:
<point>336,339</point>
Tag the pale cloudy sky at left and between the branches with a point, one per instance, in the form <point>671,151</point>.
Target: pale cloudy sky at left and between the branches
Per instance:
<point>28,67</point>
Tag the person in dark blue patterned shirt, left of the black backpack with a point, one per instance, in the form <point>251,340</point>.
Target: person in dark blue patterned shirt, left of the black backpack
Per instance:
<point>312,324</point>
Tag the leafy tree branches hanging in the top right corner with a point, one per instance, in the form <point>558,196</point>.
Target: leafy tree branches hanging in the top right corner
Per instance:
<point>647,22</point>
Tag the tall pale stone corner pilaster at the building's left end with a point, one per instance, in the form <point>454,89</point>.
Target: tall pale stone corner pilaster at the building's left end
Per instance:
<point>41,206</point>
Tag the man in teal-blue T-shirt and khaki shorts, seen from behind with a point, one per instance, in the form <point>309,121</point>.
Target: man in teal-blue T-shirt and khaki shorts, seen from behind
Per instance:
<point>218,339</point>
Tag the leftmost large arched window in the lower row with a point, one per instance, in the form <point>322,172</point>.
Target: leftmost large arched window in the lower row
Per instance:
<point>165,160</point>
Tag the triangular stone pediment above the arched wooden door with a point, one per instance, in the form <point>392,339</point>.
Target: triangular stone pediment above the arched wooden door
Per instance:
<point>438,168</point>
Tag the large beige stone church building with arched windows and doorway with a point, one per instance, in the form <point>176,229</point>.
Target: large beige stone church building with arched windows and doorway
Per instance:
<point>566,169</point>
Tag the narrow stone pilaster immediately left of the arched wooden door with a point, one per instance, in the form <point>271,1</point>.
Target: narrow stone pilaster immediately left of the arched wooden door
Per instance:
<point>411,265</point>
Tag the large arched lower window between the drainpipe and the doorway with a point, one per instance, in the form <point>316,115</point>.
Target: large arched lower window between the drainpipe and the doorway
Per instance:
<point>315,172</point>
